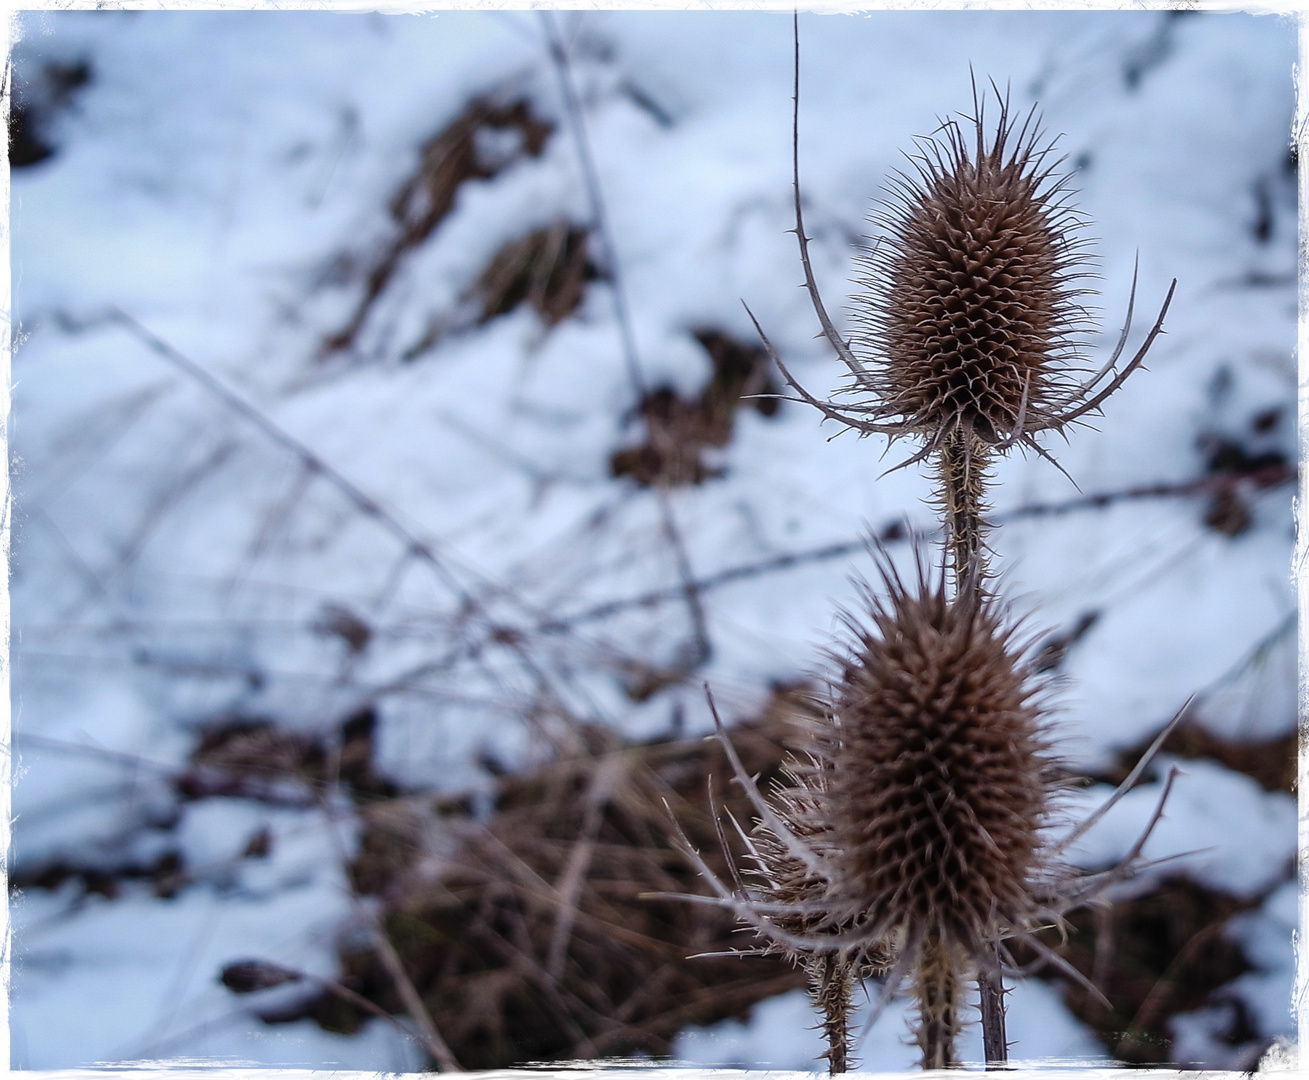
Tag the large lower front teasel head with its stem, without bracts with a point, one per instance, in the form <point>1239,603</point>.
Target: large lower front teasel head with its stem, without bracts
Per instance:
<point>939,785</point>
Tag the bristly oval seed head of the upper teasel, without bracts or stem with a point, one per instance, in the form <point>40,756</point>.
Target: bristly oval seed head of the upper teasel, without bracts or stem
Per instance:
<point>969,311</point>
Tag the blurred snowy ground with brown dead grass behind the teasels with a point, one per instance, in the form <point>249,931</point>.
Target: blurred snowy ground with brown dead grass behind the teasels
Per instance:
<point>389,482</point>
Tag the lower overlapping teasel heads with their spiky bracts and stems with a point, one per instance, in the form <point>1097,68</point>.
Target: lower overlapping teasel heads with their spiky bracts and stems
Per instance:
<point>916,837</point>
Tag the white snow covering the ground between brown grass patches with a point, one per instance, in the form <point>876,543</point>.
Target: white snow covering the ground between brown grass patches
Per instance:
<point>171,561</point>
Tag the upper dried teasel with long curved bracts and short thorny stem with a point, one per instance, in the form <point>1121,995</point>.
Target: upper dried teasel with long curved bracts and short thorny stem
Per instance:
<point>971,325</point>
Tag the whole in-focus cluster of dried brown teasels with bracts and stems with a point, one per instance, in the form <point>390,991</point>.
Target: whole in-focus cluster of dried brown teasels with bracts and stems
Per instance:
<point>914,838</point>
